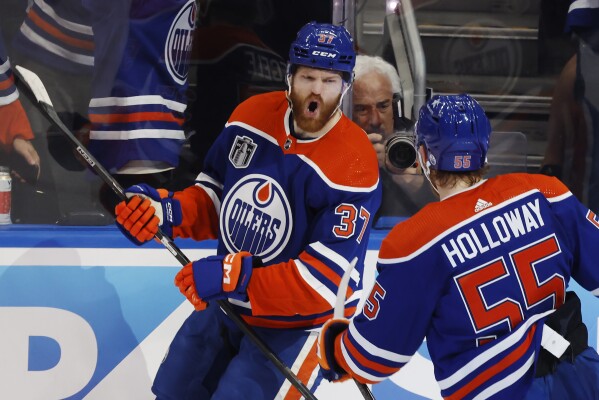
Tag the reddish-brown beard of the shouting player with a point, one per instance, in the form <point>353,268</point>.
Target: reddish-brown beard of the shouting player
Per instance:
<point>322,114</point>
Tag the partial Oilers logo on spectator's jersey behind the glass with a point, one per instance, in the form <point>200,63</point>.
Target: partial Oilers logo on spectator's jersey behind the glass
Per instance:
<point>178,43</point>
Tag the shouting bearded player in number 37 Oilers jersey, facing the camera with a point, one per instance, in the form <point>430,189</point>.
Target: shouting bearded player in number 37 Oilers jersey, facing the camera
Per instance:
<point>288,188</point>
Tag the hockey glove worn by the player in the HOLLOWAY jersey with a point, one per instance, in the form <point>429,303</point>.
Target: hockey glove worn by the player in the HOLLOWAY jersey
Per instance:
<point>327,342</point>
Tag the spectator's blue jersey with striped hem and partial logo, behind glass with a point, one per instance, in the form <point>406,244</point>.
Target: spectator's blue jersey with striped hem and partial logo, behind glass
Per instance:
<point>141,57</point>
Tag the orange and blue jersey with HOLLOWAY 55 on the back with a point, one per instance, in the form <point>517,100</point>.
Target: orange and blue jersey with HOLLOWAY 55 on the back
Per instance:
<point>475,274</point>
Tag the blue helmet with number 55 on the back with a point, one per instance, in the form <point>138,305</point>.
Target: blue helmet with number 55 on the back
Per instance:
<point>455,132</point>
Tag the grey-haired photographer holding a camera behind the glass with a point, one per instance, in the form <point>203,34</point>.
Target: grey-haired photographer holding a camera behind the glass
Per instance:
<point>376,95</point>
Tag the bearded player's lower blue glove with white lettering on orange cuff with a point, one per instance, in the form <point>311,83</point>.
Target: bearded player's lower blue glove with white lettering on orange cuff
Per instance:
<point>216,277</point>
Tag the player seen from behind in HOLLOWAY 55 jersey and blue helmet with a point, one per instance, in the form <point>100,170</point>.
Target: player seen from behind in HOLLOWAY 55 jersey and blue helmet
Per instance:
<point>482,275</point>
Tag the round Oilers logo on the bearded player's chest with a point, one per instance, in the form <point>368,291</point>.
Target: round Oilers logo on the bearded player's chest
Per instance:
<point>256,217</point>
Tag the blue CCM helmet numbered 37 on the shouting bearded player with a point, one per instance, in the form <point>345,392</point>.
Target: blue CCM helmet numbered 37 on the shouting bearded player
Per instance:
<point>324,46</point>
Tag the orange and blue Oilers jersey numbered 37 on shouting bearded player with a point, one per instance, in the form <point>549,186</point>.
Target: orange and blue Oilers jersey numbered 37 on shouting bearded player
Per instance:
<point>303,206</point>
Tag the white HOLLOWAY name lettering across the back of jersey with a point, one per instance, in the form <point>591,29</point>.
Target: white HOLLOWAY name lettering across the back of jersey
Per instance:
<point>487,236</point>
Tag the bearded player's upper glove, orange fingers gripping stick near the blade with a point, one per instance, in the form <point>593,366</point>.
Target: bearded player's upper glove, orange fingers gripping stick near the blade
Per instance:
<point>146,210</point>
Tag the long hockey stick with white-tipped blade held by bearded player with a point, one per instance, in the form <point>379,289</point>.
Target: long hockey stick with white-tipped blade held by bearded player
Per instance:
<point>34,89</point>
